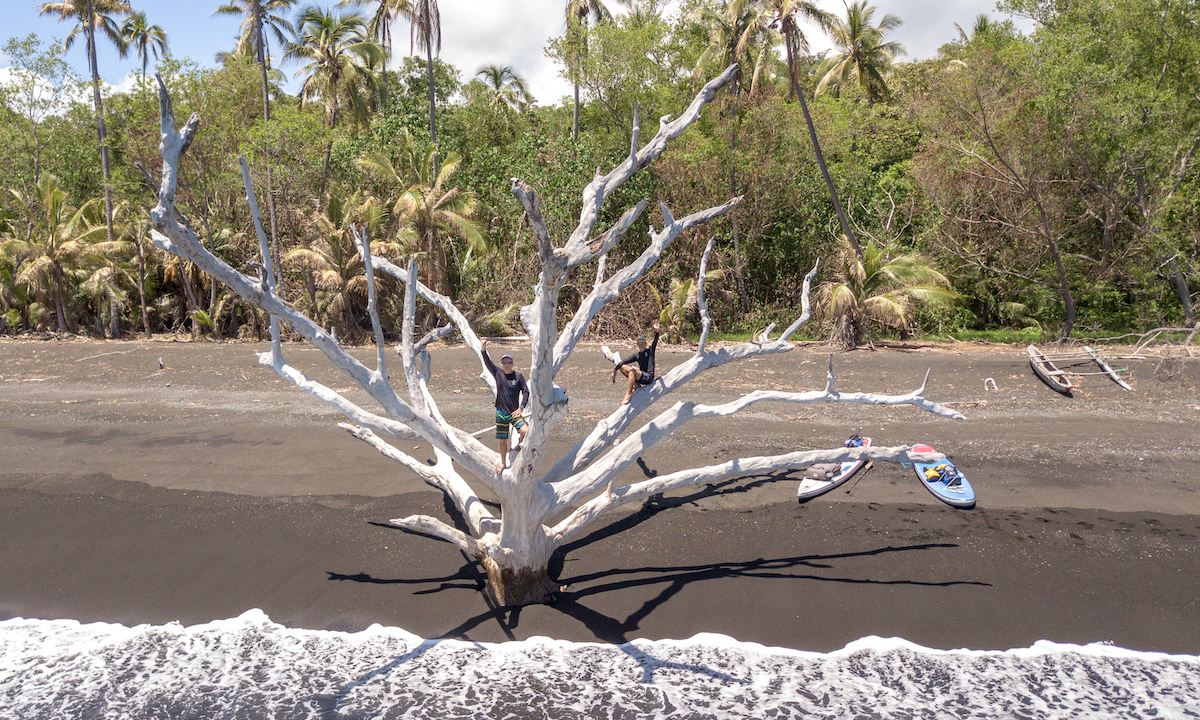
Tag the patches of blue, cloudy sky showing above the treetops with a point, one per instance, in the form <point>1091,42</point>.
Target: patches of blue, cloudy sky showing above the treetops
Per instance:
<point>475,33</point>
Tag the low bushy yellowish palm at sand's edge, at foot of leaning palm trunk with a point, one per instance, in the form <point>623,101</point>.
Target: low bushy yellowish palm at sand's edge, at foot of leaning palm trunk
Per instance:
<point>880,287</point>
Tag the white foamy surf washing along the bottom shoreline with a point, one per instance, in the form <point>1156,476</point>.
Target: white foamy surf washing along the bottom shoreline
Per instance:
<point>253,668</point>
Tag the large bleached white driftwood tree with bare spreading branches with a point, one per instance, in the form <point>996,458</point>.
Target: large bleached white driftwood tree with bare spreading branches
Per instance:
<point>541,508</point>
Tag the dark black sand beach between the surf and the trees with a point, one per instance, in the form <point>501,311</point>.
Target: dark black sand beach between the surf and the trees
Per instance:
<point>196,493</point>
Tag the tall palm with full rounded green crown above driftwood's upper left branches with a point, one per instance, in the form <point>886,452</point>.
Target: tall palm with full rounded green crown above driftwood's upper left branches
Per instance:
<point>339,56</point>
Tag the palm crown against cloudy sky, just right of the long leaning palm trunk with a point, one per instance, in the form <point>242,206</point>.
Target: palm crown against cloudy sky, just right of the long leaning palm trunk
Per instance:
<point>865,58</point>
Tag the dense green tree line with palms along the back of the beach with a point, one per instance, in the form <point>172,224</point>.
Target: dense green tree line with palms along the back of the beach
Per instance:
<point>1045,183</point>
